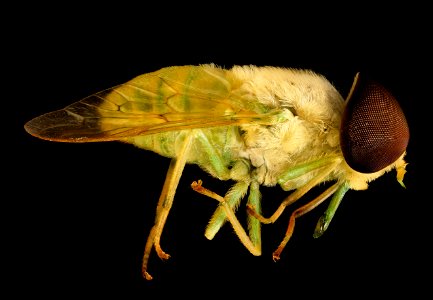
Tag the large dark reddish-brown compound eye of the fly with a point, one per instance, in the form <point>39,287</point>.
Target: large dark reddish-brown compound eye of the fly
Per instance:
<point>374,131</point>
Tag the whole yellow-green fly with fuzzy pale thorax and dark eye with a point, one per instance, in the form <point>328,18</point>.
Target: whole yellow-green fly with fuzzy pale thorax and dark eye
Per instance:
<point>257,126</point>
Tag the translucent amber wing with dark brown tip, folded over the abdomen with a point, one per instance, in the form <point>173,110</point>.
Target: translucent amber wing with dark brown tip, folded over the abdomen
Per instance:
<point>173,98</point>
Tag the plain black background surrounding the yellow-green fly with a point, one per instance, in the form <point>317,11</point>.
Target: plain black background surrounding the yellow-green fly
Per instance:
<point>77,215</point>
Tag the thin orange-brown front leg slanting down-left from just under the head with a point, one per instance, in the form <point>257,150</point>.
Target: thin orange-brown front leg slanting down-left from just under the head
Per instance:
<point>301,211</point>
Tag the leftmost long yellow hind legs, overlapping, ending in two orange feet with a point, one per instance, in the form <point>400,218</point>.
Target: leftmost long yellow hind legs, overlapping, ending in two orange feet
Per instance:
<point>165,202</point>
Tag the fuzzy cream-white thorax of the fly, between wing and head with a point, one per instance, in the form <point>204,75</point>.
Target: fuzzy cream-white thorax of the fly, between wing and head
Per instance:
<point>314,109</point>
